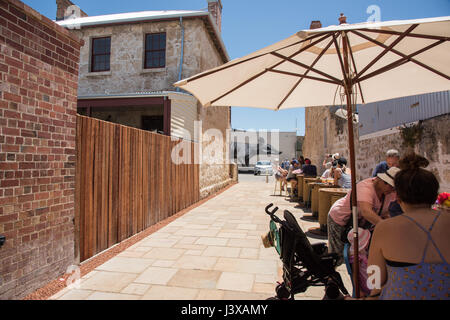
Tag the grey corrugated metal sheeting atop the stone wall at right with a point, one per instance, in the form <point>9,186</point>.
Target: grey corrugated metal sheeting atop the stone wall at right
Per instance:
<point>387,114</point>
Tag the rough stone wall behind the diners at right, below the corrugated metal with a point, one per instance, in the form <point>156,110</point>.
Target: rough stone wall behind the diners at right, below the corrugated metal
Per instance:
<point>370,150</point>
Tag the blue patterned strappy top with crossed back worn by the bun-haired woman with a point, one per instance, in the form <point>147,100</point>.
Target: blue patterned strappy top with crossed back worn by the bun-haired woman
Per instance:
<point>422,281</point>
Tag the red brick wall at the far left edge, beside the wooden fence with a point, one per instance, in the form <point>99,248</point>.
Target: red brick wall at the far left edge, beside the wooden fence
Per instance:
<point>38,97</point>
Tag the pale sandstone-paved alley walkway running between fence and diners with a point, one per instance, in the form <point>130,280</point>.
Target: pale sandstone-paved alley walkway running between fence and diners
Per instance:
<point>212,252</point>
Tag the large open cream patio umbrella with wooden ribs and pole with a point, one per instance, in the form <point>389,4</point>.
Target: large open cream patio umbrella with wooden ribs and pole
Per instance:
<point>369,62</point>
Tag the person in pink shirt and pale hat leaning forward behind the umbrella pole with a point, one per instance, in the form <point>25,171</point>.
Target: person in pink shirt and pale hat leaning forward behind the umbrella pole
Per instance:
<point>373,198</point>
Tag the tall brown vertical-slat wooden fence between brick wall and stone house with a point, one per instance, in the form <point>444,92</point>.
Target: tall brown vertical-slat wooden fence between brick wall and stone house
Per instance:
<point>126,182</point>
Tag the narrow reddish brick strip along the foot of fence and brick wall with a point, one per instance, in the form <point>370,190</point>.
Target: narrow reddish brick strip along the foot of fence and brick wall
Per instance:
<point>87,266</point>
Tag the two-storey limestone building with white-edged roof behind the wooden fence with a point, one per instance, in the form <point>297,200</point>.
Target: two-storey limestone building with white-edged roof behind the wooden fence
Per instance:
<point>130,62</point>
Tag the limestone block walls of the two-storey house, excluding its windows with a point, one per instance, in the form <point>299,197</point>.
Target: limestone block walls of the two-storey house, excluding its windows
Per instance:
<point>127,75</point>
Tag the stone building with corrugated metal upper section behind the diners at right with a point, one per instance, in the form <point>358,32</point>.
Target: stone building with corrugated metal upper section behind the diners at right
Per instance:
<point>380,129</point>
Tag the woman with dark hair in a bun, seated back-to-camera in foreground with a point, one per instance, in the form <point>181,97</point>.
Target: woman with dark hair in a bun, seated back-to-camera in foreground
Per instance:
<point>415,245</point>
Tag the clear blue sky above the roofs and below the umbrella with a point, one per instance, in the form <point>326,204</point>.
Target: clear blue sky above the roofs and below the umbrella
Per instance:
<point>249,25</point>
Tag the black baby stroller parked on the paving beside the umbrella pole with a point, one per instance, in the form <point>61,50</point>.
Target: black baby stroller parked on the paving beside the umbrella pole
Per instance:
<point>304,265</point>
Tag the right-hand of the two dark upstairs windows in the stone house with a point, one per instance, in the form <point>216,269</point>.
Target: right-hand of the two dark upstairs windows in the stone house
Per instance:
<point>155,50</point>
